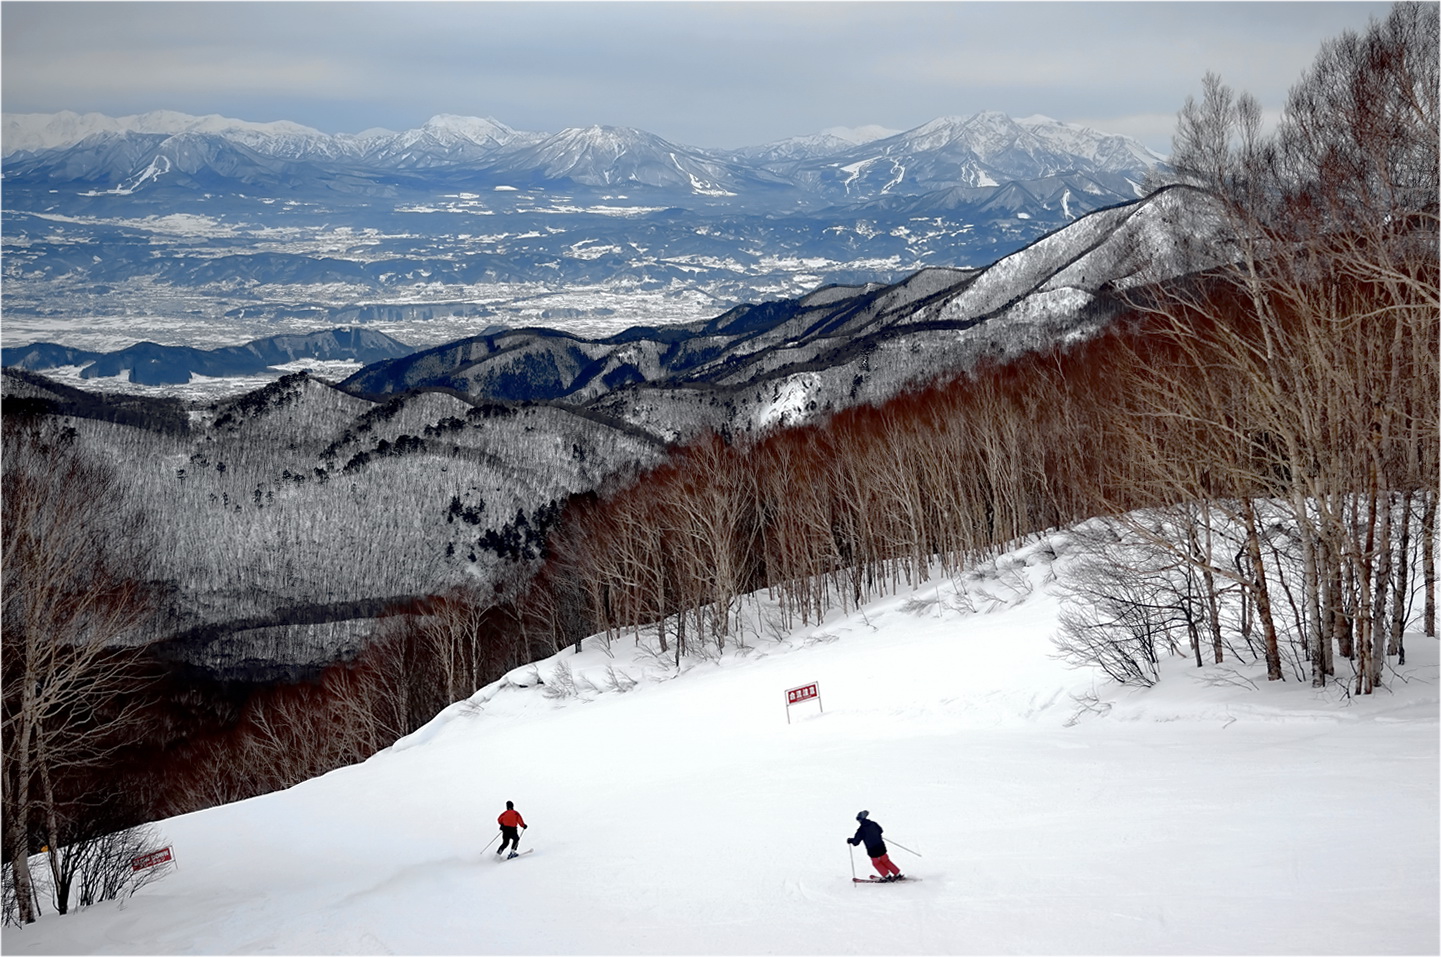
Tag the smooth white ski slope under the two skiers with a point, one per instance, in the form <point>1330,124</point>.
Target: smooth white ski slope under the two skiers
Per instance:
<point>690,812</point>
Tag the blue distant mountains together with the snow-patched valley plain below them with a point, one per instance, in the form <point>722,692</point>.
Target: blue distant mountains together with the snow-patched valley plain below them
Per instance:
<point>236,226</point>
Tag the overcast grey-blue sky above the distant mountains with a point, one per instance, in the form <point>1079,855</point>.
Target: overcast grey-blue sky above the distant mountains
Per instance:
<point>698,74</point>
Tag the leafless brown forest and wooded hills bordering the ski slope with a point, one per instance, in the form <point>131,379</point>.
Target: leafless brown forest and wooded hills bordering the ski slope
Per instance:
<point>205,605</point>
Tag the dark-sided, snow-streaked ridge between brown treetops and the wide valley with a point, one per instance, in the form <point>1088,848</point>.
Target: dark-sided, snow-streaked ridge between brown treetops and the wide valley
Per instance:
<point>838,347</point>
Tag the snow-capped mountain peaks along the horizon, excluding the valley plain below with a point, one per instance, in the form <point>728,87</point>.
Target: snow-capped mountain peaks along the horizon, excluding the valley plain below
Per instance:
<point>159,151</point>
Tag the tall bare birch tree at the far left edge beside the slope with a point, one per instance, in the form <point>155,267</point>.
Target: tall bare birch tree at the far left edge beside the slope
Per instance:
<point>74,606</point>
